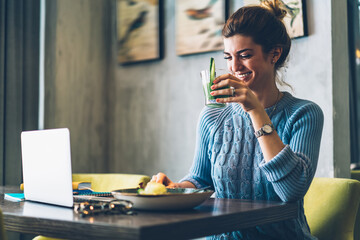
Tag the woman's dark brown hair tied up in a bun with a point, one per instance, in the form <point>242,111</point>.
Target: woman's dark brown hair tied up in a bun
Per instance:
<point>263,23</point>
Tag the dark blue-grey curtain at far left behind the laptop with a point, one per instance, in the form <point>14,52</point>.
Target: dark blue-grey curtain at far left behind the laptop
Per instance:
<point>19,81</point>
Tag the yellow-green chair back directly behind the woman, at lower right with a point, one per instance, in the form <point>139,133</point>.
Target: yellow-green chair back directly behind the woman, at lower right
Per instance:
<point>330,207</point>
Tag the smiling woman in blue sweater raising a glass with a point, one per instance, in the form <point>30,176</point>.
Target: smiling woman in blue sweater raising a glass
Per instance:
<point>264,145</point>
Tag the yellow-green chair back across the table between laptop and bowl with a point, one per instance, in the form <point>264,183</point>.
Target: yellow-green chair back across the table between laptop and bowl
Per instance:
<point>106,182</point>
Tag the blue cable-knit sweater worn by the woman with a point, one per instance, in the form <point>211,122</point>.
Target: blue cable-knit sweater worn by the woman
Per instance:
<point>228,157</point>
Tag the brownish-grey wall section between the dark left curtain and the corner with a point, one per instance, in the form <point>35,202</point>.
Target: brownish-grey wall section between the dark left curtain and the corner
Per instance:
<point>76,74</point>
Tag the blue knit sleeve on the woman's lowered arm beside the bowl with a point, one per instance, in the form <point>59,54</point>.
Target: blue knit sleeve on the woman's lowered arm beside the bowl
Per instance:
<point>200,172</point>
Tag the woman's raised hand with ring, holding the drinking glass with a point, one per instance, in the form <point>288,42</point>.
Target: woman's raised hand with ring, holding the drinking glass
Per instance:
<point>240,93</point>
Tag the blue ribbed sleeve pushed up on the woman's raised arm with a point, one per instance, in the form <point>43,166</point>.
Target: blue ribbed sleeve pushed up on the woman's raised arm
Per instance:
<point>292,170</point>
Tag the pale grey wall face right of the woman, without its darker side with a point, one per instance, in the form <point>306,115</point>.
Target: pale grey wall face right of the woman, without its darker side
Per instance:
<point>310,73</point>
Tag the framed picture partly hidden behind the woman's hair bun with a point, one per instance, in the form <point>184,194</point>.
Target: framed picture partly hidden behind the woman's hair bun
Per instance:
<point>295,20</point>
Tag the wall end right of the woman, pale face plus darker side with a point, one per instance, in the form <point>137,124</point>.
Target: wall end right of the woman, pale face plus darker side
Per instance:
<point>318,70</point>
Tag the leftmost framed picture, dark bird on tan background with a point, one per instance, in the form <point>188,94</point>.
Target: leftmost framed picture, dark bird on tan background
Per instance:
<point>138,30</point>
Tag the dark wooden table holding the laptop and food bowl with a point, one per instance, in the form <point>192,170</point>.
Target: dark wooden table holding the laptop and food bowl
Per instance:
<point>214,216</point>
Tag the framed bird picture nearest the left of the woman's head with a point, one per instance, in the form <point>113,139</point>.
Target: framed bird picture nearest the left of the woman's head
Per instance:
<point>198,25</point>
